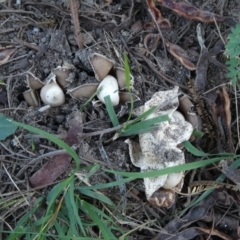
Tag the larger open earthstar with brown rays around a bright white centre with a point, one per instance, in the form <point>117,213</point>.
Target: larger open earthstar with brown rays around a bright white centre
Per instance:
<point>111,78</point>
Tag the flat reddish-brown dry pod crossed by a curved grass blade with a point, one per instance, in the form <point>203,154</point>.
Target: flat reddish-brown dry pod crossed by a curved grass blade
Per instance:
<point>59,163</point>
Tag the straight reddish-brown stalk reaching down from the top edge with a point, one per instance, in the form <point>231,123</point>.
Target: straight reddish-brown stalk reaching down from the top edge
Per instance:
<point>74,6</point>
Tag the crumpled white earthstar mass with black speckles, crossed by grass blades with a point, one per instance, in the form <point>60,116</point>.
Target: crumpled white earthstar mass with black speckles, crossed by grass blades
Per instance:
<point>158,149</point>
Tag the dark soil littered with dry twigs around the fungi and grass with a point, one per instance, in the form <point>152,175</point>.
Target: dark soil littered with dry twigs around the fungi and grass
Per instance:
<point>43,36</point>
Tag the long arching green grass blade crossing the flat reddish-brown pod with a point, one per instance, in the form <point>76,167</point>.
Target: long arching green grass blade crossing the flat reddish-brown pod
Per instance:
<point>51,138</point>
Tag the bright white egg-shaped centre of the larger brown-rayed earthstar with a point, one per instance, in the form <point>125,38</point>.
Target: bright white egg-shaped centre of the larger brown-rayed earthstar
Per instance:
<point>109,86</point>
